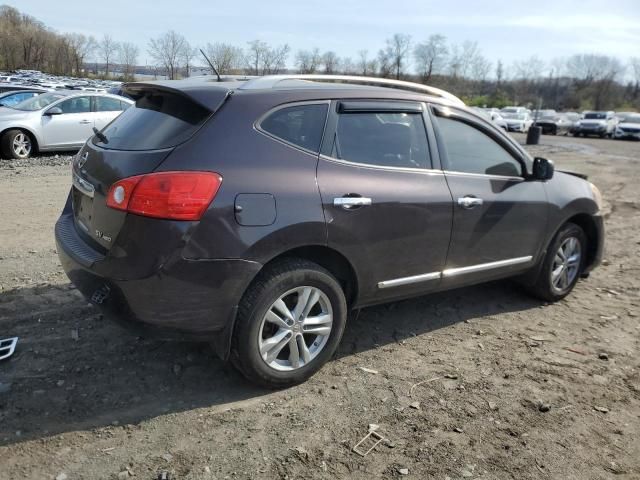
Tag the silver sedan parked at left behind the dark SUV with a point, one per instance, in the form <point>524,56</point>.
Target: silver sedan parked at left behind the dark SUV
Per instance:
<point>56,121</point>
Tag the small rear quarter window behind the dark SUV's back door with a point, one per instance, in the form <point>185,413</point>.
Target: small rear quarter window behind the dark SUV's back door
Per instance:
<point>301,125</point>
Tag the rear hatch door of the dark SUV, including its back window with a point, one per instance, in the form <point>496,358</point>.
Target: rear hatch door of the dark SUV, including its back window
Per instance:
<point>135,143</point>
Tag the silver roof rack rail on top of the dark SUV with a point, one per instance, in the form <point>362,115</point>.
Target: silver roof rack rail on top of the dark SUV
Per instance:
<point>271,81</point>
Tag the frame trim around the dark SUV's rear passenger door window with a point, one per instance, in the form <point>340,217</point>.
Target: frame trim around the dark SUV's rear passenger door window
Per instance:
<point>331,130</point>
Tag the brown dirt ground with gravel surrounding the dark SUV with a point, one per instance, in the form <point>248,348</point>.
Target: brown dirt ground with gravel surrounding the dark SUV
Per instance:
<point>482,382</point>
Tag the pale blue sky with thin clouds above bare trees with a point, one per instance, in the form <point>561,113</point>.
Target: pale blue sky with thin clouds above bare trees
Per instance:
<point>506,31</point>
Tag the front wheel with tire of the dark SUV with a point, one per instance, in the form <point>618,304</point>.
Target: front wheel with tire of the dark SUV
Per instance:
<point>562,264</point>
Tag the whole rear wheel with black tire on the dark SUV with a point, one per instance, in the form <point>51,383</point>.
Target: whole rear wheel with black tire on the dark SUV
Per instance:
<point>290,322</point>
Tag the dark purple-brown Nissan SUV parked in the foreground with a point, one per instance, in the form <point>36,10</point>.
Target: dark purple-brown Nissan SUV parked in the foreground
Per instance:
<point>257,214</point>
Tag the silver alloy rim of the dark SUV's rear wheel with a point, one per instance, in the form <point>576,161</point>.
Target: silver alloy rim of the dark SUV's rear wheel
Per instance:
<point>295,328</point>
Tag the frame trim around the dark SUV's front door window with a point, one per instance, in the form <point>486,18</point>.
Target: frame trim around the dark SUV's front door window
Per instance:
<point>437,111</point>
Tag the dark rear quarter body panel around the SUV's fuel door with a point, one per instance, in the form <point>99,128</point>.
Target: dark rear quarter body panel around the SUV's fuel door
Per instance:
<point>251,162</point>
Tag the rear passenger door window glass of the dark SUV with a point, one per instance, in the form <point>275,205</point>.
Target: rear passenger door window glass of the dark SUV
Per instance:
<point>382,139</point>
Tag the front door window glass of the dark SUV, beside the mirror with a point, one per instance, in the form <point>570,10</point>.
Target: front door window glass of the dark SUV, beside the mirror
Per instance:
<point>472,151</point>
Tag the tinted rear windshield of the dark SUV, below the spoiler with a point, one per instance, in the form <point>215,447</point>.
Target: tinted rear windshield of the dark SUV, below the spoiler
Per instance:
<point>159,119</point>
